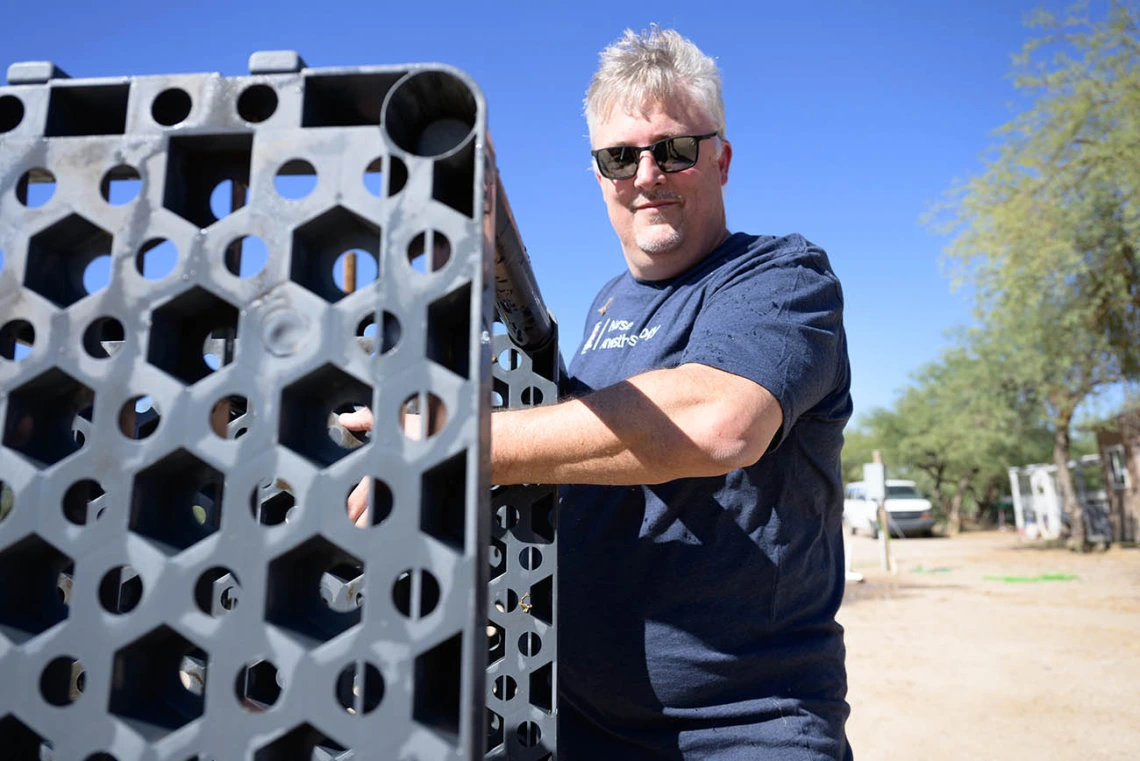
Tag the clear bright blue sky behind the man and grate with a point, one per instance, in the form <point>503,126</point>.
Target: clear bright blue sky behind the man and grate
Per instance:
<point>848,121</point>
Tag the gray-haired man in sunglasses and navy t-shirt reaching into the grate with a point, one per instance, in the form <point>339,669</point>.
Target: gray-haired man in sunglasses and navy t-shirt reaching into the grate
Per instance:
<point>701,545</point>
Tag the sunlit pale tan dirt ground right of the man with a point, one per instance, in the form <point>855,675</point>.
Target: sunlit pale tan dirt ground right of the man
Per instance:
<point>946,664</point>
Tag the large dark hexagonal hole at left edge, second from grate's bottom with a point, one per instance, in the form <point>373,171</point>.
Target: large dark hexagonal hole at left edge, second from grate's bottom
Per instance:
<point>40,599</point>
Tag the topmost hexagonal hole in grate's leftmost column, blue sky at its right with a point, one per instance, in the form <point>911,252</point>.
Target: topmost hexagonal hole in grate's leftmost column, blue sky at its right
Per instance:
<point>59,259</point>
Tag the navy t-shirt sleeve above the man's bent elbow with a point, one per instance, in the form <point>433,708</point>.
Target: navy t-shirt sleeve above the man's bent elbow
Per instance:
<point>779,324</point>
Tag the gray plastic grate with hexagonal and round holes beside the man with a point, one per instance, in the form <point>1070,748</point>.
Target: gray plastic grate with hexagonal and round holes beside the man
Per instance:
<point>190,586</point>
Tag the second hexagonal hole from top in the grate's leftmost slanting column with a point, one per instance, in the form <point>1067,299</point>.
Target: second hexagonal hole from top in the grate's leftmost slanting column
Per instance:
<point>43,413</point>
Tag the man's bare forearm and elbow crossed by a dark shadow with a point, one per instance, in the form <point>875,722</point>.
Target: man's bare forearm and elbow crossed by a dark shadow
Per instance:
<point>688,422</point>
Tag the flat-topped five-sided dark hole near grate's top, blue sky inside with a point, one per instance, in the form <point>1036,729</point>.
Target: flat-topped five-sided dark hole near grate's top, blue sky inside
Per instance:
<point>208,176</point>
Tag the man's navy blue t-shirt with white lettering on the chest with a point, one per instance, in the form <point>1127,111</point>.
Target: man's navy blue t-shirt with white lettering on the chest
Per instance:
<point>697,617</point>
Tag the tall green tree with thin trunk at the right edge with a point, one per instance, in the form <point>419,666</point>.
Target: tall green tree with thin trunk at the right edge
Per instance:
<point>1048,234</point>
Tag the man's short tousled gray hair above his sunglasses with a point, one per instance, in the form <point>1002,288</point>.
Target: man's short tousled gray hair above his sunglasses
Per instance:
<point>655,66</point>
